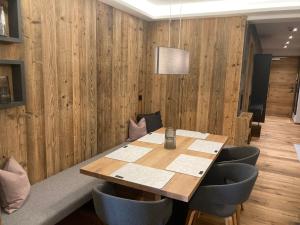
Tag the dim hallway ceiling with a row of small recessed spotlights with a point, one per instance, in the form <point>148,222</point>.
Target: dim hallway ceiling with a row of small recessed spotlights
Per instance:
<point>273,37</point>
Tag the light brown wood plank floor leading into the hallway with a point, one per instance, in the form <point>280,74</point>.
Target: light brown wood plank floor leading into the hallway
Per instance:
<point>276,197</point>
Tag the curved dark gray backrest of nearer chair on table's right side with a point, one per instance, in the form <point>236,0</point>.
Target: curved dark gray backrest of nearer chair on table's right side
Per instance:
<point>217,190</point>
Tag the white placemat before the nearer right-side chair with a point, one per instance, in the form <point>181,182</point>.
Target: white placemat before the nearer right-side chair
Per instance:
<point>190,165</point>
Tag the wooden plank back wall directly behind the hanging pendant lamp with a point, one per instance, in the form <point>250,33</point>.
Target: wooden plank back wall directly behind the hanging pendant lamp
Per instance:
<point>207,98</point>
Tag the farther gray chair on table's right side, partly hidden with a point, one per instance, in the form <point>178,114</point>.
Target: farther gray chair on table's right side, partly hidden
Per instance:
<point>245,154</point>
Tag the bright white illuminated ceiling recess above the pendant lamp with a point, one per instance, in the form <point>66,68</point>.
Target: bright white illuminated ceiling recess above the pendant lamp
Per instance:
<point>206,7</point>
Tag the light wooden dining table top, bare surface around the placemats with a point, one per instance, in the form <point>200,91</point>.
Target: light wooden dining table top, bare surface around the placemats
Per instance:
<point>180,186</point>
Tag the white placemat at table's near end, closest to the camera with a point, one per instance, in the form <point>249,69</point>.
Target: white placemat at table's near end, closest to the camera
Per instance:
<point>143,175</point>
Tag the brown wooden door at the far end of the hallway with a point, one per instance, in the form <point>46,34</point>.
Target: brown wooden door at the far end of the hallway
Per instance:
<point>282,84</point>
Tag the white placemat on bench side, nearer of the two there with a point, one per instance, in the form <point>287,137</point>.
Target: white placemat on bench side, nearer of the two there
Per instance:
<point>129,153</point>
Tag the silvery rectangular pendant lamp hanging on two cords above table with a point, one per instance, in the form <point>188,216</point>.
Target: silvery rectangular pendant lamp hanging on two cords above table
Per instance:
<point>169,60</point>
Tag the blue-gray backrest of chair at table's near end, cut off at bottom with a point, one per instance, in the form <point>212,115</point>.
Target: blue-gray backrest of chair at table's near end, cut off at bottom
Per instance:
<point>113,210</point>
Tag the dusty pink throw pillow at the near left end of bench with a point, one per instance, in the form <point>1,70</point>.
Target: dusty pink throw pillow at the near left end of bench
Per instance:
<point>14,186</point>
